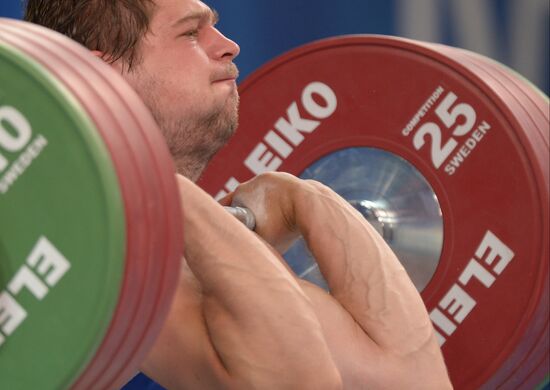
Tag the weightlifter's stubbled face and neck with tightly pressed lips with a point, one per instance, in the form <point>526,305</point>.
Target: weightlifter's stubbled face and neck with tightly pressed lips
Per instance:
<point>187,79</point>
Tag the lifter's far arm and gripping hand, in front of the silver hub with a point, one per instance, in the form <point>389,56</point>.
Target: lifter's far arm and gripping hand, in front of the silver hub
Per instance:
<point>374,321</point>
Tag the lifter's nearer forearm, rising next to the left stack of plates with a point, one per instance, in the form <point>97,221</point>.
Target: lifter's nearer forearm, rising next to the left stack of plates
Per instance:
<point>260,322</point>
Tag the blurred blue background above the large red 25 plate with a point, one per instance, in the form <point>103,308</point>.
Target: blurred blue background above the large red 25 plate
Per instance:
<point>515,32</point>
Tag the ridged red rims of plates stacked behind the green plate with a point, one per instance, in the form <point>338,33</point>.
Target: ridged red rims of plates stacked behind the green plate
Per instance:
<point>131,332</point>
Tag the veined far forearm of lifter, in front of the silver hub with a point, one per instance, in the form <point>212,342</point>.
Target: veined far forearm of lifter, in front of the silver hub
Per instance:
<point>361,270</point>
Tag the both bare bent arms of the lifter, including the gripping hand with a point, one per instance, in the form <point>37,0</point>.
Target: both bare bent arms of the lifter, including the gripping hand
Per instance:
<point>244,309</point>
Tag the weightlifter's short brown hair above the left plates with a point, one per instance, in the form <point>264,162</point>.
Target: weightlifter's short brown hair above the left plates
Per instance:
<point>114,27</point>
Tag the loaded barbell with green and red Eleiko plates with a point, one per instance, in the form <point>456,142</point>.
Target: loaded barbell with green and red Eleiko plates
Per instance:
<point>444,151</point>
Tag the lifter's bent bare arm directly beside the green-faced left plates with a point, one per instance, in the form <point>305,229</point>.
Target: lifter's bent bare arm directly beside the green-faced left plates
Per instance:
<point>239,320</point>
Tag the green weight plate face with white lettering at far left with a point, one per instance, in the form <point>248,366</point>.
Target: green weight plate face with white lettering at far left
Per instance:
<point>60,203</point>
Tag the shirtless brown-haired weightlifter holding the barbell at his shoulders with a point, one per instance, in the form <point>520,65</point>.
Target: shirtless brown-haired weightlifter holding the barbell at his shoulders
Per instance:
<point>240,318</point>
